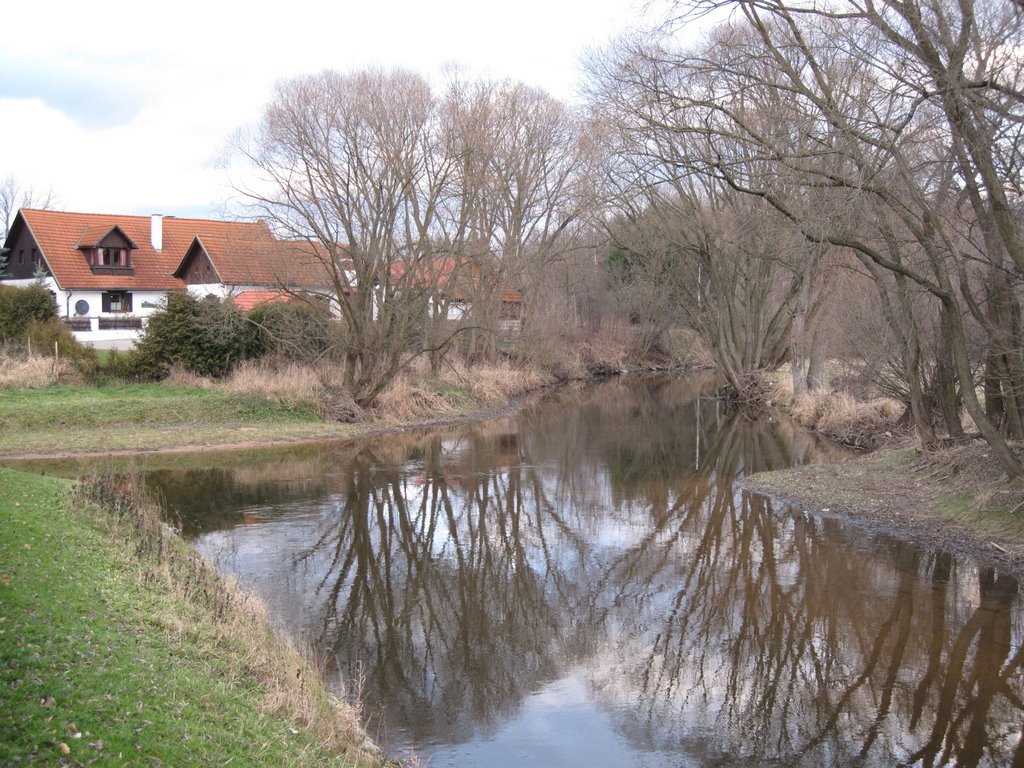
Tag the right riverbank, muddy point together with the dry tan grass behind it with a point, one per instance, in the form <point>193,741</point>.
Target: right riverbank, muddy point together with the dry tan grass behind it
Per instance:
<point>955,498</point>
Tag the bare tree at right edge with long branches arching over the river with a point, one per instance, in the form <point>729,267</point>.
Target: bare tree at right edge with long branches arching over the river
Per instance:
<point>868,125</point>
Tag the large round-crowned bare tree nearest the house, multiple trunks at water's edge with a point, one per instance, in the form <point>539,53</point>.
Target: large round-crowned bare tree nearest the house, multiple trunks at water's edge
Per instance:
<point>351,165</point>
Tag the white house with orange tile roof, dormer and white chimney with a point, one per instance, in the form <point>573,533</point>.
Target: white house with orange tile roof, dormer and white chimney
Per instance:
<point>109,273</point>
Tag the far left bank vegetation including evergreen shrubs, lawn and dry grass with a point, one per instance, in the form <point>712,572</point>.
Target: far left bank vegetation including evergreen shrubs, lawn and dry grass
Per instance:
<point>207,374</point>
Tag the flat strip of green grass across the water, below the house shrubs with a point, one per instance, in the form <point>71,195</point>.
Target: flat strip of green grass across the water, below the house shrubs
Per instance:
<point>148,417</point>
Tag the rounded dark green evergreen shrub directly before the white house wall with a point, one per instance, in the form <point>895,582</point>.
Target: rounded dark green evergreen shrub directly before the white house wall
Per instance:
<point>207,337</point>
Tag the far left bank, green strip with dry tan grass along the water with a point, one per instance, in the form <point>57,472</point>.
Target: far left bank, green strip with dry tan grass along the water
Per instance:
<point>257,406</point>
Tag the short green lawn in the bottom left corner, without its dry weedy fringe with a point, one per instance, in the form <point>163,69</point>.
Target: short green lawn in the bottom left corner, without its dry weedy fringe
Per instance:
<point>94,643</point>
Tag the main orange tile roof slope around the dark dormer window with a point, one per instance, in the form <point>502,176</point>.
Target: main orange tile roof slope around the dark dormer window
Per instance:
<point>59,235</point>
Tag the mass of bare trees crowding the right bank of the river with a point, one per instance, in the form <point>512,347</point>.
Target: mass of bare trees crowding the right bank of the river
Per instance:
<point>816,165</point>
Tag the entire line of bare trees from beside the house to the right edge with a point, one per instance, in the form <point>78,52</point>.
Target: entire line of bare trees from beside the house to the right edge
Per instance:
<point>812,181</point>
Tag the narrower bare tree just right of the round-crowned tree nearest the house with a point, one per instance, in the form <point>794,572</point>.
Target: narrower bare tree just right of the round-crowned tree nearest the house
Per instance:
<point>523,161</point>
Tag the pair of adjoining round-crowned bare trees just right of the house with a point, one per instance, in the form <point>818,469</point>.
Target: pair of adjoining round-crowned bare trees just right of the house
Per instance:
<point>409,203</point>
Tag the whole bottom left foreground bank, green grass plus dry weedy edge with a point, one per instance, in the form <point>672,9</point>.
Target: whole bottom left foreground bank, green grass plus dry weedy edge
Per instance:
<point>118,647</point>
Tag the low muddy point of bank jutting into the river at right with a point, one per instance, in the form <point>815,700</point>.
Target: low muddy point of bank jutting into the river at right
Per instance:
<point>956,500</point>
